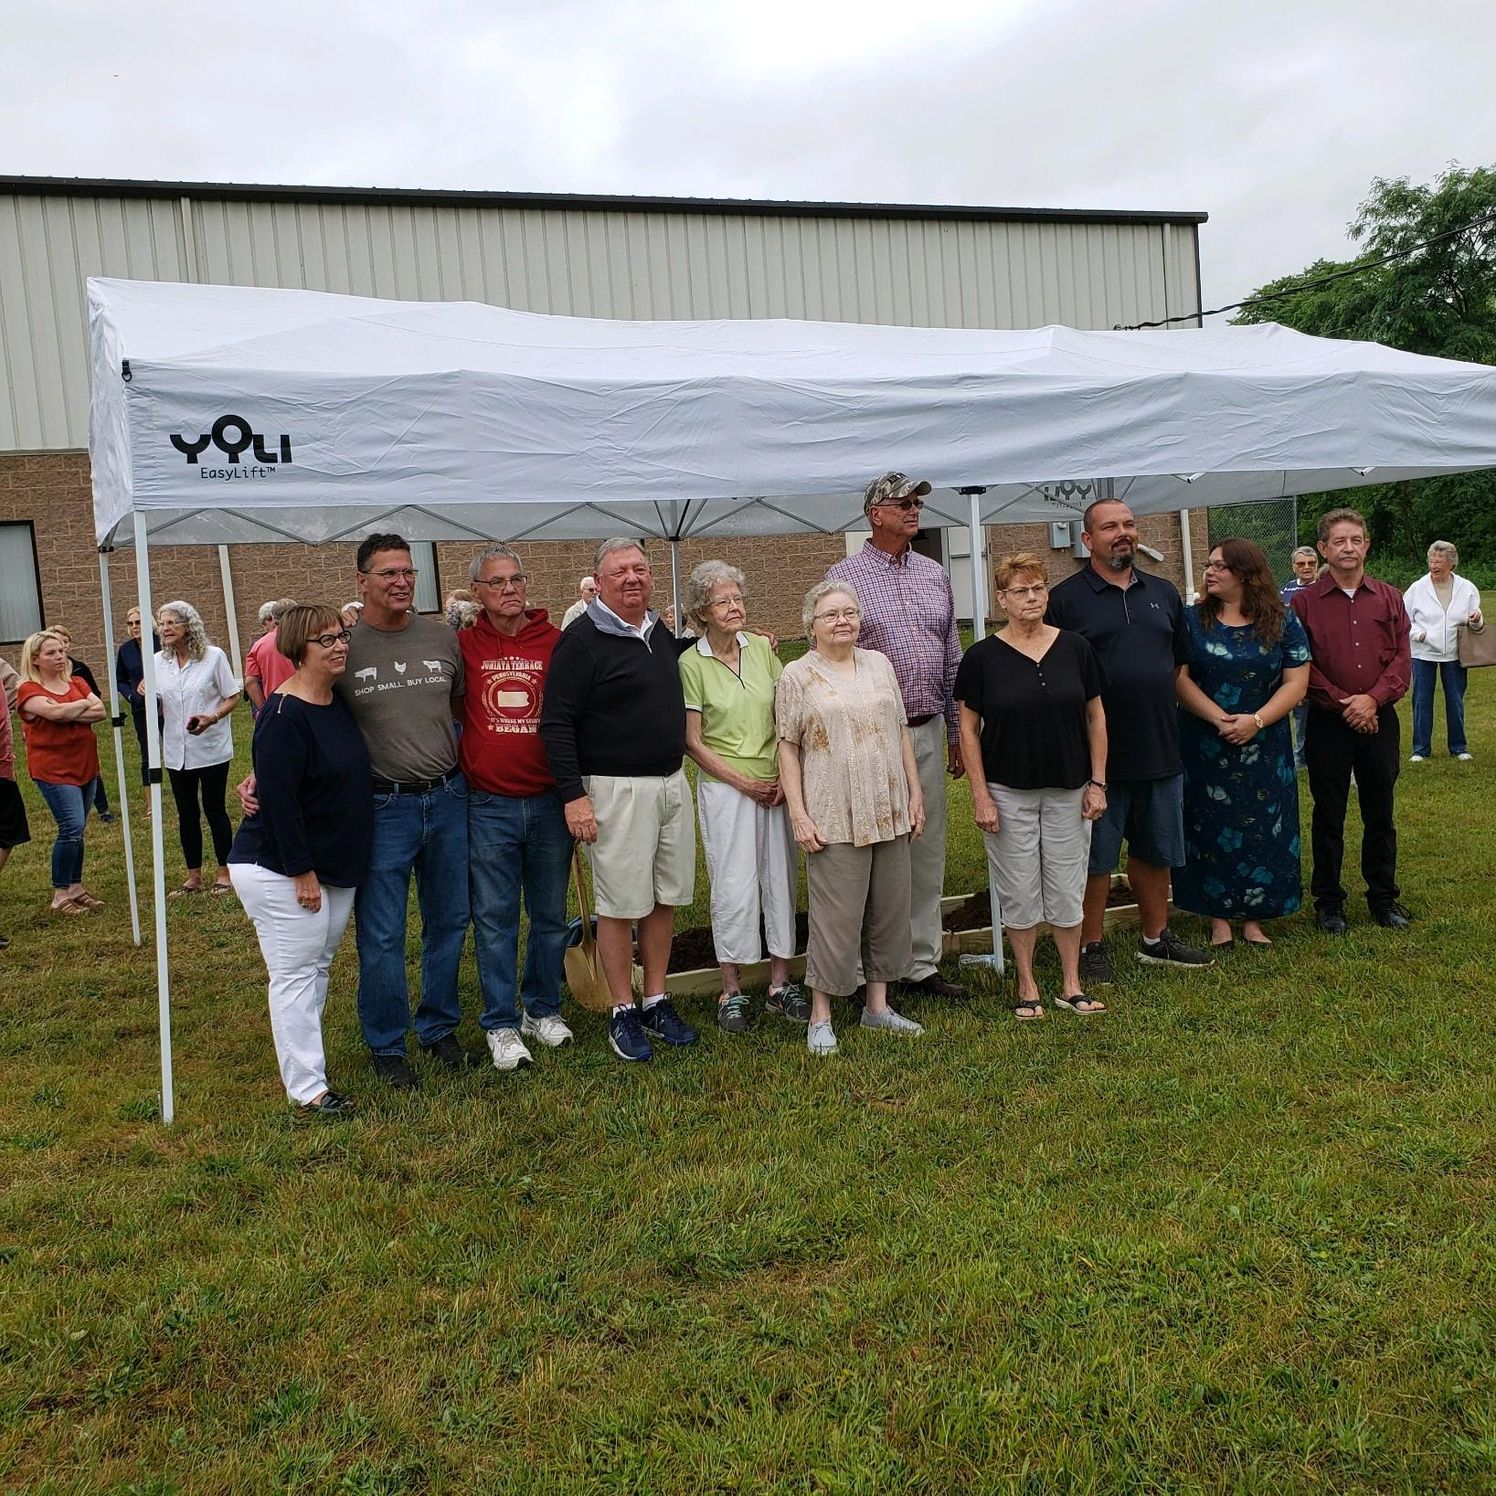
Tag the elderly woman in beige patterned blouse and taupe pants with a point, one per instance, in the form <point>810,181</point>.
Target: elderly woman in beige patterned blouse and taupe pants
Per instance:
<point>853,789</point>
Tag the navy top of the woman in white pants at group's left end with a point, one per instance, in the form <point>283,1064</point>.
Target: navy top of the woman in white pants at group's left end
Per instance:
<point>312,777</point>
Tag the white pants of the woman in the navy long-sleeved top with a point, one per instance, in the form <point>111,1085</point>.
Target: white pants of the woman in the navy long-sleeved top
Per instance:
<point>298,949</point>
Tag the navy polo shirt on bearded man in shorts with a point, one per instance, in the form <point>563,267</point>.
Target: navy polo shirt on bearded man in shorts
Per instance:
<point>1141,638</point>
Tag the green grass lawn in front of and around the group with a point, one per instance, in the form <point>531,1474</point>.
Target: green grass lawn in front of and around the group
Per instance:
<point>1238,1235</point>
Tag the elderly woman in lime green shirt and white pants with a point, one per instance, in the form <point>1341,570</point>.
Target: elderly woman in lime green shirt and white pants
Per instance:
<point>729,681</point>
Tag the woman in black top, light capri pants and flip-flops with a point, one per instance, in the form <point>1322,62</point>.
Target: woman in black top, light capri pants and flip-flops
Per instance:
<point>1034,744</point>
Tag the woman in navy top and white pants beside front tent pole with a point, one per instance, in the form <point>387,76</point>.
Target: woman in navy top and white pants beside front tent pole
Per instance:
<point>298,859</point>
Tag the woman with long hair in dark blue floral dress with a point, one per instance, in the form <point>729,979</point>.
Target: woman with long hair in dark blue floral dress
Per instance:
<point>1248,669</point>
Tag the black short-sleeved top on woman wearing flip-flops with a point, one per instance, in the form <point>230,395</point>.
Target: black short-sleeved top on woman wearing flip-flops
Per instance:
<point>1033,713</point>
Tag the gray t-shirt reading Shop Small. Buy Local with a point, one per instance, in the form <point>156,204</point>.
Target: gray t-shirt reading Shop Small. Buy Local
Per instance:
<point>400,686</point>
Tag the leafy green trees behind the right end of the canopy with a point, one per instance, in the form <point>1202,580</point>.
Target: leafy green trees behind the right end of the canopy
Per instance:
<point>1440,300</point>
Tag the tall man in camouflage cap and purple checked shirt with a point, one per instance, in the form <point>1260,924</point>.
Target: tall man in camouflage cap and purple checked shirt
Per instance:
<point>909,614</point>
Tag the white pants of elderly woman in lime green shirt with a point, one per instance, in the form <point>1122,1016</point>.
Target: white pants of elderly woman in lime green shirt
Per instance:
<point>752,862</point>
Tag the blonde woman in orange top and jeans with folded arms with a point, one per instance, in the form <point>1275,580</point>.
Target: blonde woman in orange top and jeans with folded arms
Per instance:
<point>58,716</point>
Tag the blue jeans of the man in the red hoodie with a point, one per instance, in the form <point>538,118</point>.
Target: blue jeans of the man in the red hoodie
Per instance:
<point>518,844</point>
